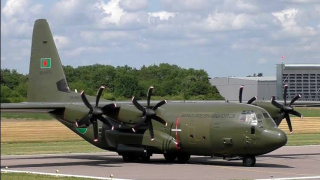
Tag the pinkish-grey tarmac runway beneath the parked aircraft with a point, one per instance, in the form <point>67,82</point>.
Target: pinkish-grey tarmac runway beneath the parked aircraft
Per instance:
<point>286,162</point>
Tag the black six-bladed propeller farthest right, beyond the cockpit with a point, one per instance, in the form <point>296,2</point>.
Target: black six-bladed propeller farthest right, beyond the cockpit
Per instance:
<point>286,109</point>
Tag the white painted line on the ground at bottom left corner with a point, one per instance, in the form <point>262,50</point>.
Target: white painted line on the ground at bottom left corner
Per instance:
<point>61,175</point>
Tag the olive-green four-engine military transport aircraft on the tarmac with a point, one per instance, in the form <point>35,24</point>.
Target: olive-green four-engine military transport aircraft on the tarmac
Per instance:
<point>136,130</point>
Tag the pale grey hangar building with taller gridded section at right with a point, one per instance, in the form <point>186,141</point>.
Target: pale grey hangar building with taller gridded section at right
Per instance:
<point>303,79</point>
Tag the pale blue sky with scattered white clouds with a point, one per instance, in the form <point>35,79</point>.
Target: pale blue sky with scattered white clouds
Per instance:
<point>225,38</point>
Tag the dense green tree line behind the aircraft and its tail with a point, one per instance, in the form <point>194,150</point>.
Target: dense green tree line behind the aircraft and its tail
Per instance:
<point>169,81</point>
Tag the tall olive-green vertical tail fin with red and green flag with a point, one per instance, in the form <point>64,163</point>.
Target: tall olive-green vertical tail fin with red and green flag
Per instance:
<point>47,81</point>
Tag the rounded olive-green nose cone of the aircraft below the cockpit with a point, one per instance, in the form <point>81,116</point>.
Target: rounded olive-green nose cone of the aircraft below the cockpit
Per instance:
<point>276,138</point>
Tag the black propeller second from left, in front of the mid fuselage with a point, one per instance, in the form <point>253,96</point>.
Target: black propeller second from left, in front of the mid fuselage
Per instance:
<point>148,113</point>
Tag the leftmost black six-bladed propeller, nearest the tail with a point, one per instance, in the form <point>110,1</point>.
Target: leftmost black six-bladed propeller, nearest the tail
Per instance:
<point>94,114</point>
